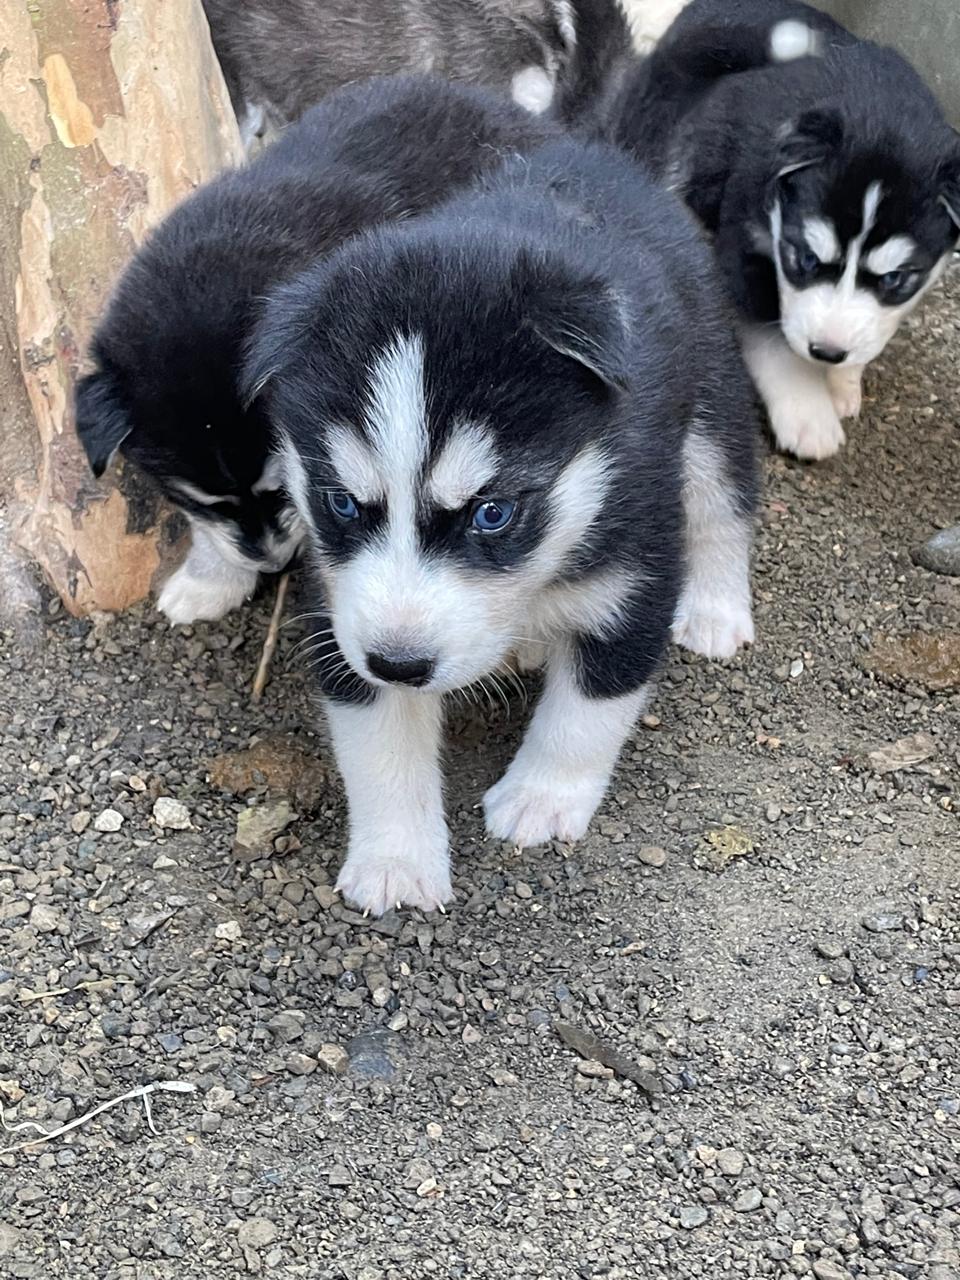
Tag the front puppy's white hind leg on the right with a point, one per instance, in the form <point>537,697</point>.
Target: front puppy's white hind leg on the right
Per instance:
<point>714,616</point>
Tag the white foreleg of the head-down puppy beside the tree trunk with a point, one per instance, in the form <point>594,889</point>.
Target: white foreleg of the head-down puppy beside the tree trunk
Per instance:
<point>213,579</point>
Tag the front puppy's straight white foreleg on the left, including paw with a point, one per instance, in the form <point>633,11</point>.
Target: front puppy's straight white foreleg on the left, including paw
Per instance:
<point>388,755</point>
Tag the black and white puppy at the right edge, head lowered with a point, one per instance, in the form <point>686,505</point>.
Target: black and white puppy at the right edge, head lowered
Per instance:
<point>826,172</point>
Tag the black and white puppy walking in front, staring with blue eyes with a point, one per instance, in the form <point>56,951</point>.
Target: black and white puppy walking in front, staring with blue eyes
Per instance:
<point>518,426</point>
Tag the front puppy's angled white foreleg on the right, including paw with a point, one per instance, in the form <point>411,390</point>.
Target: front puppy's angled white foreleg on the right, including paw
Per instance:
<point>564,766</point>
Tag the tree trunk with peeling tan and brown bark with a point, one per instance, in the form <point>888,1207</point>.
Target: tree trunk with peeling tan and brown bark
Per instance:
<point>111,112</point>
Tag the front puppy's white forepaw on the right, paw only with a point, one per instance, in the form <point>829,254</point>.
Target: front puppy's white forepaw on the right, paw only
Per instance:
<point>532,808</point>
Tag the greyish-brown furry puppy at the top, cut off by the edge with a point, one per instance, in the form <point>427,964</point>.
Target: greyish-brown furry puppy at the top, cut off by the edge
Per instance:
<point>280,57</point>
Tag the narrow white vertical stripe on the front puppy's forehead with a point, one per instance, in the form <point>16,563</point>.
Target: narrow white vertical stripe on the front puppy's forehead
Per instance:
<point>396,417</point>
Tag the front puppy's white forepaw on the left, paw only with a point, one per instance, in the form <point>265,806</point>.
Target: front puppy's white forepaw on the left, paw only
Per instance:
<point>377,883</point>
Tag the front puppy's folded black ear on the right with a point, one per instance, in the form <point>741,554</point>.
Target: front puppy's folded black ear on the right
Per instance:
<point>586,321</point>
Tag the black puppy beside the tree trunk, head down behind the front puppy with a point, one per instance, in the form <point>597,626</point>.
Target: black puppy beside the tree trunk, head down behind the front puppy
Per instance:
<point>170,349</point>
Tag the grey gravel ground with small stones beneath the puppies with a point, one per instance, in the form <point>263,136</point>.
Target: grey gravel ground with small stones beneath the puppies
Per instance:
<point>764,925</point>
